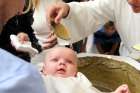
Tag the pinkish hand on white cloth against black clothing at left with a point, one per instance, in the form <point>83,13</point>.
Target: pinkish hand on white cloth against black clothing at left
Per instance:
<point>23,37</point>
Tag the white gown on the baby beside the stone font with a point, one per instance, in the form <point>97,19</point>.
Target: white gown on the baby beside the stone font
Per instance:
<point>79,84</point>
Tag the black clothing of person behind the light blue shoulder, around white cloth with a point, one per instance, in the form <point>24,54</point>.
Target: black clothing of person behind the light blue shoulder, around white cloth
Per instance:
<point>19,23</point>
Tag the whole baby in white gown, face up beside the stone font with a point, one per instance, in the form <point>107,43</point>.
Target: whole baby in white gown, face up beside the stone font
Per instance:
<point>62,76</point>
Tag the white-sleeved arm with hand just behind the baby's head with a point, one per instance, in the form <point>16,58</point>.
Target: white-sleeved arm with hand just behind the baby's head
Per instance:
<point>46,37</point>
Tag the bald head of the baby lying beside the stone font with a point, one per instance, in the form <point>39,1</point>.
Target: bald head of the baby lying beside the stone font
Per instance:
<point>61,62</point>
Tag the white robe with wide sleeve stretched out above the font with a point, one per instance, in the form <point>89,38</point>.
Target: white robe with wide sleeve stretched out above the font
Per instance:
<point>85,18</point>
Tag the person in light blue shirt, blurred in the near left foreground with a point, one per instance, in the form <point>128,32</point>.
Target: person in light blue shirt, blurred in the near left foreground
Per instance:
<point>17,76</point>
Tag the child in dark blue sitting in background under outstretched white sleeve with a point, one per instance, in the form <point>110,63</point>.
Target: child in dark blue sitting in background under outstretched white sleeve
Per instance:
<point>107,39</point>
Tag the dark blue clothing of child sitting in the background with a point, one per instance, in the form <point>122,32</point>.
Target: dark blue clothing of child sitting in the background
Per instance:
<point>106,41</point>
